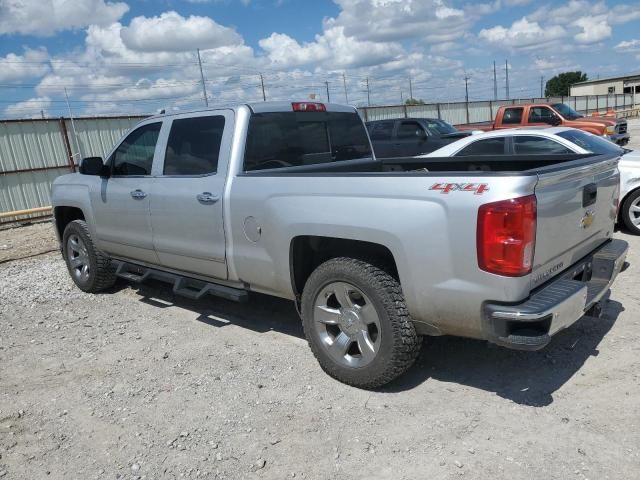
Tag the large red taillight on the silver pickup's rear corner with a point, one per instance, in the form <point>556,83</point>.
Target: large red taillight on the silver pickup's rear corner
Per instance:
<point>506,236</point>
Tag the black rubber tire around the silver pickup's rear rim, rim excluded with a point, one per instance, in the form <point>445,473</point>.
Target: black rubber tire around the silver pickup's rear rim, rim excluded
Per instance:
<point>399,343</point>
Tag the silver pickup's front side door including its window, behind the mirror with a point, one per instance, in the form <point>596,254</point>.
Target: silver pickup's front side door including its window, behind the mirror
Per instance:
<point>121,202</point>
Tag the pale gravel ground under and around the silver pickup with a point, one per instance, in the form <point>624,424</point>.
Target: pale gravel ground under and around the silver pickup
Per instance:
<point>135,383</point>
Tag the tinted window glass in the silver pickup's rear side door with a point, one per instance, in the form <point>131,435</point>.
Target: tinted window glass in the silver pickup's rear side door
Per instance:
<point>194,145</point>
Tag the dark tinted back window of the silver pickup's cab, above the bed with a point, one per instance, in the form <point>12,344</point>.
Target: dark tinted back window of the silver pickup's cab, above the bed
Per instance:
<point>292,139</point>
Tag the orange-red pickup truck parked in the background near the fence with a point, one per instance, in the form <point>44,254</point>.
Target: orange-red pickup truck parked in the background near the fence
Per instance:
<point>555,114</point>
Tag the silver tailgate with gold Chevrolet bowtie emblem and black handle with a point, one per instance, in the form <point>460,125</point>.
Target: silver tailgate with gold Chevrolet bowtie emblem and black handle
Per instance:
<point>576,214</point>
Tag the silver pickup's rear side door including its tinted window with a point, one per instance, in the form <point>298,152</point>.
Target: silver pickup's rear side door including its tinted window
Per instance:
<point>187,194</point>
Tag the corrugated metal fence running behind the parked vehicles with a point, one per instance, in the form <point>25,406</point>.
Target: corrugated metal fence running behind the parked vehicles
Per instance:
<point>34,152</point>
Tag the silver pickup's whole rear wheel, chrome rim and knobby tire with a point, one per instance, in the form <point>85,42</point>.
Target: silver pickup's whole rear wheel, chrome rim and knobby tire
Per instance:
<point>357,324</point>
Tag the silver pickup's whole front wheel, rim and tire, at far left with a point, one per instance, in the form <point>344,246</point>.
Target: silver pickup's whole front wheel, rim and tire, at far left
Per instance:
<point>89,268</point>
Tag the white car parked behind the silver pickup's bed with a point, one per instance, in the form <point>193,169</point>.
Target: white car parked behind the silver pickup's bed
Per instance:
<point>558,140</point>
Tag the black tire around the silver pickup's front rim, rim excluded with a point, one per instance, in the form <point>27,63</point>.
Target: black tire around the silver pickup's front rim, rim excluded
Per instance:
<point>101,272</point>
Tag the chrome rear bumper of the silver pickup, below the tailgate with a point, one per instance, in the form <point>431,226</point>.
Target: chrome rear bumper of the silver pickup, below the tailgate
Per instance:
<point>559,303</point>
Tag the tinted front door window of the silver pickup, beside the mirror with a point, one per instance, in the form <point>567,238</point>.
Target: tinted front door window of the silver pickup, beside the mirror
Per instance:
<point>134,156</point>
